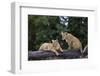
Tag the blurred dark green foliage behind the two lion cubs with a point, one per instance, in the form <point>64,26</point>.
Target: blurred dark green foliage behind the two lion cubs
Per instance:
<point>43,29</point>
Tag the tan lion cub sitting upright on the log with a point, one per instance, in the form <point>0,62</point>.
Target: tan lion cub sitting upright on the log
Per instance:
<point>73,42</point>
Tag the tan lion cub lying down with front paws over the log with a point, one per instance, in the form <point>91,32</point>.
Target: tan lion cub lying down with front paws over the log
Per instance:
<point>54,47</point>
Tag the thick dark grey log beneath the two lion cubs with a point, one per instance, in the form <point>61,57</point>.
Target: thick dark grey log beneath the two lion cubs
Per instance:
<point>44,55</point>
